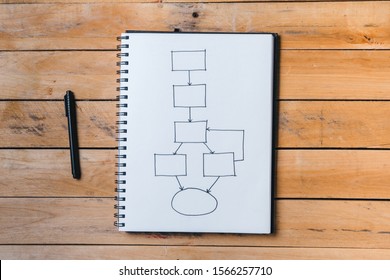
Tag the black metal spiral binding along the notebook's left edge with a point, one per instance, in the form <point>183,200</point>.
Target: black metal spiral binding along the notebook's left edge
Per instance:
<point>120,190</point>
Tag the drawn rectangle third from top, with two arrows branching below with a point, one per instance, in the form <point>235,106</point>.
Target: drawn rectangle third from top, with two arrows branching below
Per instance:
<point>191,132</point>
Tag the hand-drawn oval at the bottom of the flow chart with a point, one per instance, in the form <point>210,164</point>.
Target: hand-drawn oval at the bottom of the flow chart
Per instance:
<point>194,202</point>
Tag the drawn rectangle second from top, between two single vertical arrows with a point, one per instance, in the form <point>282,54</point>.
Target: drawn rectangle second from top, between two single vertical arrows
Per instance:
<point>189,96</point>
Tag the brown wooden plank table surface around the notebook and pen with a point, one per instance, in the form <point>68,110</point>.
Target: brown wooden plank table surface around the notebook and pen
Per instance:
<point>333,186</point>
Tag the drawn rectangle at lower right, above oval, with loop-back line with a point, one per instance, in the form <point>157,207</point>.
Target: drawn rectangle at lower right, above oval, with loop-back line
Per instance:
<point>218,165</point>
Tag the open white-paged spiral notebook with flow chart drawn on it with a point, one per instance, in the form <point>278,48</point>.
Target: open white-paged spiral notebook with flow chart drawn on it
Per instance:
<point>196,124</point>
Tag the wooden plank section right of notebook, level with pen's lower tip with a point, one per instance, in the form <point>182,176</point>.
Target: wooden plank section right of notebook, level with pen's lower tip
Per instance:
<point>333,174</point>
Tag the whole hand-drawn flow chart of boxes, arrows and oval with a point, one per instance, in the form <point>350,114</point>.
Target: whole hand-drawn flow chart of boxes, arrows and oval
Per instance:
<point>218,161</point>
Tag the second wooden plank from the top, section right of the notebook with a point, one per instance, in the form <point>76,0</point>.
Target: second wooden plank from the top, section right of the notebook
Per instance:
<point>334,75</point>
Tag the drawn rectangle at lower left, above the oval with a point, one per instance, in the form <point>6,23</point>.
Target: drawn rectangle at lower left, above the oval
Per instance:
<point>170,165</point>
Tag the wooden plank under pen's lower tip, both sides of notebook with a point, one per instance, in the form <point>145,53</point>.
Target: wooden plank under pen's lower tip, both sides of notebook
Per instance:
<point>300,174</point>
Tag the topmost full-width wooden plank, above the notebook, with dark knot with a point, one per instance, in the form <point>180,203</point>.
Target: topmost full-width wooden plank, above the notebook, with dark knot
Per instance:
<point>352,25</point>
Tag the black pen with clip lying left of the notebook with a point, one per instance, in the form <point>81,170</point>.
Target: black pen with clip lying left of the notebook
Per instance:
<point>70,112</point>
